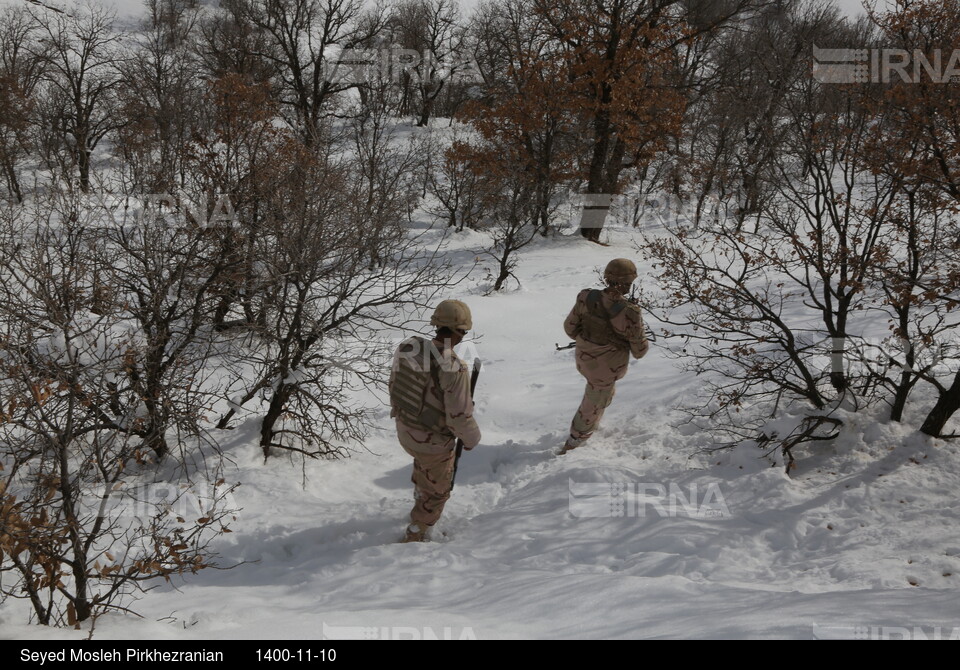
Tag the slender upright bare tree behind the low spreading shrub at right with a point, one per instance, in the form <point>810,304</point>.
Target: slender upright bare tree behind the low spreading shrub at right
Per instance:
<point>831,209</point>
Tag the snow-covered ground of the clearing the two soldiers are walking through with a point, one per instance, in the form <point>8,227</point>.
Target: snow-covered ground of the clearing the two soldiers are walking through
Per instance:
<point>641,533</point>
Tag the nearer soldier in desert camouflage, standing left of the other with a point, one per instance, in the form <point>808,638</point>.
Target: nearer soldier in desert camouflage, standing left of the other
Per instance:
<point>430,400</point>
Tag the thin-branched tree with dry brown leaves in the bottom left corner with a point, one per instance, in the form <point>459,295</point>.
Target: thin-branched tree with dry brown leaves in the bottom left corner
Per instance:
<point>77,527</point>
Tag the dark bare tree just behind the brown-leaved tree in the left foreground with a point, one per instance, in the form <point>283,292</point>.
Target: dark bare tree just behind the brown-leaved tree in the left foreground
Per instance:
<point>166,276</point>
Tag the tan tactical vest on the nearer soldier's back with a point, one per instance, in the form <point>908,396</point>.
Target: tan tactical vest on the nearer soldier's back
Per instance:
<point>410,396</point>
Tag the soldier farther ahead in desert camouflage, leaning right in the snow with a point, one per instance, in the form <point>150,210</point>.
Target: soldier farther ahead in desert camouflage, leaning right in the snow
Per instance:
<point>608,329</point>
